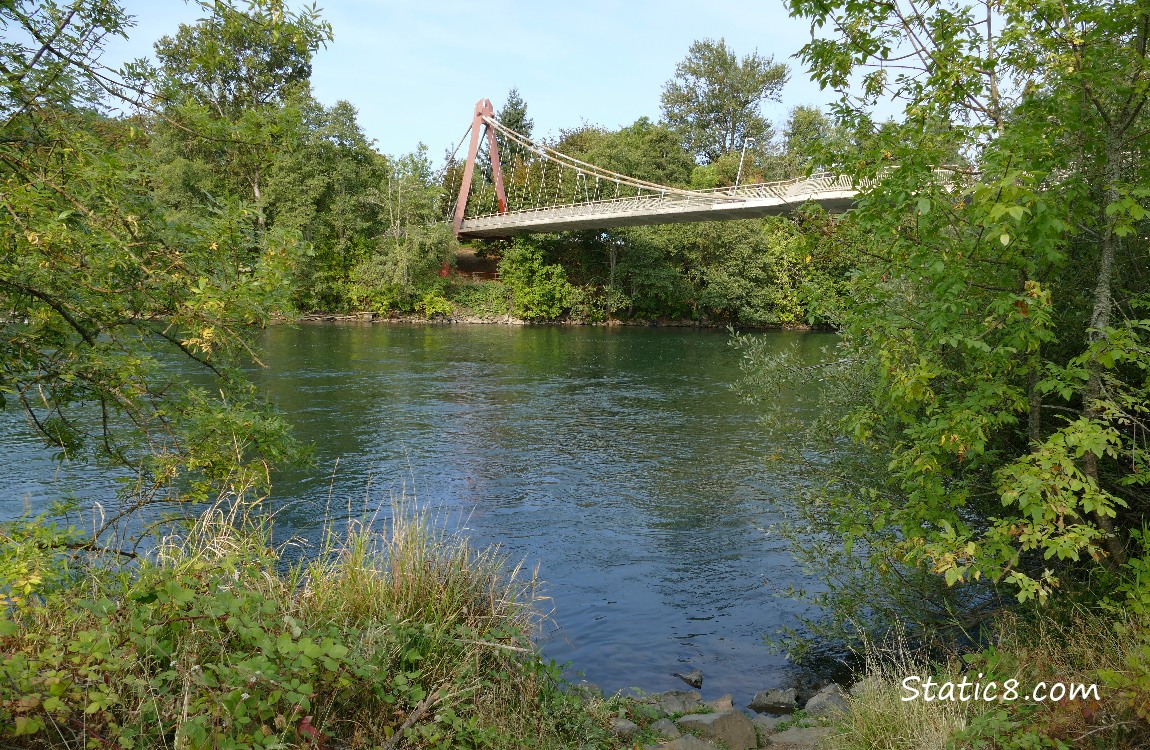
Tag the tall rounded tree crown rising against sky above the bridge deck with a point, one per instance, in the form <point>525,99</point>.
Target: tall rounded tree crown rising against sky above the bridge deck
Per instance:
<point>715,98</point>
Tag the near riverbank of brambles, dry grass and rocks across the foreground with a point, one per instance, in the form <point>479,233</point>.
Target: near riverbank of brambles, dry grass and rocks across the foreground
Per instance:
<point>412,638</point>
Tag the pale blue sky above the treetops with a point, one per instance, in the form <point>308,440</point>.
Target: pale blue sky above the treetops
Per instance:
<point>416,68</point>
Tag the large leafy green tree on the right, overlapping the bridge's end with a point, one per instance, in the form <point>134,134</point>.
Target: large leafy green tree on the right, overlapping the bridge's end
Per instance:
<point>1001,322</point>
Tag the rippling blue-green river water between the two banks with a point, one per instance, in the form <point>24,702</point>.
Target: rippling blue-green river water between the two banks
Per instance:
<point>618,461</point>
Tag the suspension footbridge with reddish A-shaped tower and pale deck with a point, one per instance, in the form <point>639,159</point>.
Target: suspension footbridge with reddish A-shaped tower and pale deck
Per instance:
<point>536,189</point>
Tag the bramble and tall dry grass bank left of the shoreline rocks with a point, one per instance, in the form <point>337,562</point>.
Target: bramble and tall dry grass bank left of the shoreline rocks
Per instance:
<point>410,639</point>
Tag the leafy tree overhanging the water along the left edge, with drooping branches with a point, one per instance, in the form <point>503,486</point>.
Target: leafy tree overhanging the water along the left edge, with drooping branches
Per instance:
<point>106,290</point>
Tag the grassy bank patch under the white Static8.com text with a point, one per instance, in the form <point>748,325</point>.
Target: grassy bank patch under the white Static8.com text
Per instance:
<point>1105,654</point>
